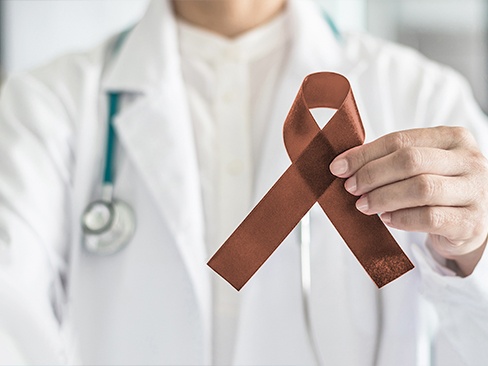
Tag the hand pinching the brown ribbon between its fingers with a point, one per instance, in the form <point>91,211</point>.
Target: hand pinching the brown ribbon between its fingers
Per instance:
<point>432,180</point>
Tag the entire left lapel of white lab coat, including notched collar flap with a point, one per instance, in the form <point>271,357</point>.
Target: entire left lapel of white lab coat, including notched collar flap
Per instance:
<point>154,128</point>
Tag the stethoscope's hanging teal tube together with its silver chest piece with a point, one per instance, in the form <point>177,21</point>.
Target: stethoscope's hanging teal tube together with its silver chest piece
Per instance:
<point>108,223</point>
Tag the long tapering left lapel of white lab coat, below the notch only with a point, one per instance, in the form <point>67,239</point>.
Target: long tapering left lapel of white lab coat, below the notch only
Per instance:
<point>157,136</point>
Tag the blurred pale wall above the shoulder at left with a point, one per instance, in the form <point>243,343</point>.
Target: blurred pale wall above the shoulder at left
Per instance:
<point>35,31</point>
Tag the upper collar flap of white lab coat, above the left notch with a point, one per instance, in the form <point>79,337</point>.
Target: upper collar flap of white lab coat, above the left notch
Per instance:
<point>148,55</point>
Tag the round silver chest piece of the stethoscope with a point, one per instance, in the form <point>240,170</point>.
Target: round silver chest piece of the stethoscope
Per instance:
<point>108,226</point>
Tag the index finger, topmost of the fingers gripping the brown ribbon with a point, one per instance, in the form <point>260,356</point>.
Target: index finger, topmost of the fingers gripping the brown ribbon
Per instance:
<point>446,138</point>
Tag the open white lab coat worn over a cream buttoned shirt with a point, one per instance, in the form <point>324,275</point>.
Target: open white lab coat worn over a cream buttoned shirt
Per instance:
<point>151,303</point>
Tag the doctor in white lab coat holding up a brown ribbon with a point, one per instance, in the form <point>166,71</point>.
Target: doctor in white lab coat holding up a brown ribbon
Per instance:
<point>204,89</point>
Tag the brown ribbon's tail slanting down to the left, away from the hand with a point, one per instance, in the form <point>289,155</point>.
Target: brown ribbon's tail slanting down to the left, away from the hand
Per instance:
<point>263,230</point>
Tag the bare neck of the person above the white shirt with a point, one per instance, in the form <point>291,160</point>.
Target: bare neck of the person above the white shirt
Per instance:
<point>229,18</point>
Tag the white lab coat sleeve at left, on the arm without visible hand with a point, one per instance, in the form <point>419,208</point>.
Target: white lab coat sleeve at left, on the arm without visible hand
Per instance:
<point>35,161</point>
